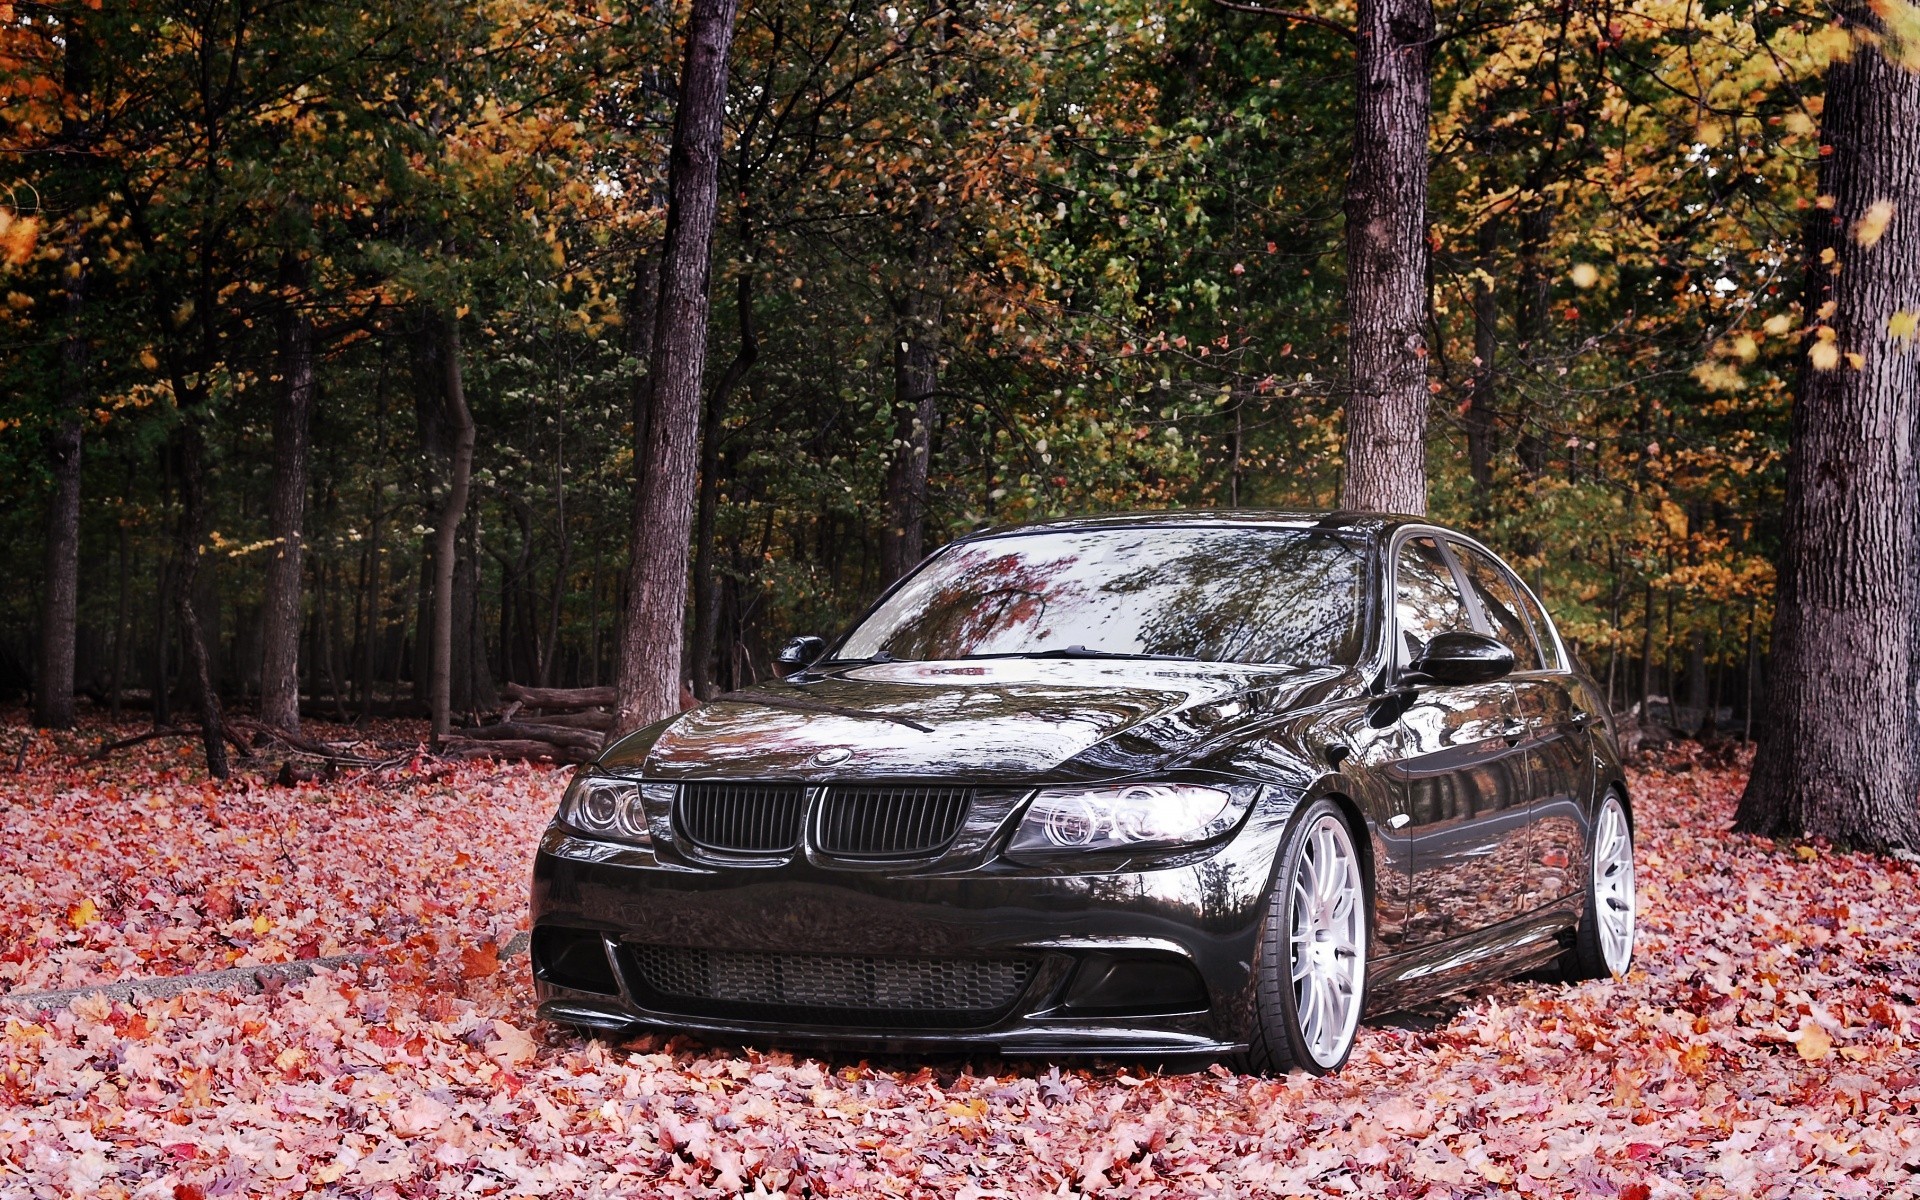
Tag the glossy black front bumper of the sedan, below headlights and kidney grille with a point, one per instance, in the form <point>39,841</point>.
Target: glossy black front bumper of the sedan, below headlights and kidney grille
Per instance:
<point>1195,919</point>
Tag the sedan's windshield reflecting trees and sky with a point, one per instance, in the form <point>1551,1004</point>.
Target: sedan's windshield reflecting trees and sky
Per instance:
<point>1214,594</point>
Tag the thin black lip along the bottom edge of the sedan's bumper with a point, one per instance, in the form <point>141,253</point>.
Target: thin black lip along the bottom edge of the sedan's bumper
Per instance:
<point>1078,1038</point>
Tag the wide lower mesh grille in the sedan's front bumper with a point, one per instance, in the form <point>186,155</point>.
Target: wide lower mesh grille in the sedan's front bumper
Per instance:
<point>830,988</point>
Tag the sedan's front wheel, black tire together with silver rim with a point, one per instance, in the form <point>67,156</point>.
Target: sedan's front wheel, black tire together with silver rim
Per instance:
<point>1312,978</point>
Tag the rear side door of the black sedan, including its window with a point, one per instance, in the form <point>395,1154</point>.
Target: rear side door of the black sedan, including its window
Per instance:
<point>1558,759</point>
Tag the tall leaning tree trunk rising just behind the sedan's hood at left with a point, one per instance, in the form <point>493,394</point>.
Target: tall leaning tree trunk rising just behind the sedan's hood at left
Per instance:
<point>663,498</point>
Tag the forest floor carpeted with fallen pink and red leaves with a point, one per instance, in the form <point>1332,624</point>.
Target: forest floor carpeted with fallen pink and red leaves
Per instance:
<point>1765,1045</point>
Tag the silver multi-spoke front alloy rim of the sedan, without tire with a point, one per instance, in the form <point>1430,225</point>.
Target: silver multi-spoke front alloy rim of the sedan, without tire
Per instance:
<point>1330,940</point>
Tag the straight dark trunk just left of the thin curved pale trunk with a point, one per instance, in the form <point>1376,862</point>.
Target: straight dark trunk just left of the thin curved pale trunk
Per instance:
<point>279,675</point>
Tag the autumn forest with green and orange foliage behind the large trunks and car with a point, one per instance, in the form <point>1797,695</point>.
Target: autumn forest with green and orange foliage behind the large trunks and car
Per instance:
<point>381,285</point>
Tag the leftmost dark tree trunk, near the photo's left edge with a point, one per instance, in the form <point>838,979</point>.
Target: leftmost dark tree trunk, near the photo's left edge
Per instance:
<point>55,696</point>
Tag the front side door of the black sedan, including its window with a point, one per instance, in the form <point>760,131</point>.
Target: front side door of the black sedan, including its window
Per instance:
<point>1462,775</point>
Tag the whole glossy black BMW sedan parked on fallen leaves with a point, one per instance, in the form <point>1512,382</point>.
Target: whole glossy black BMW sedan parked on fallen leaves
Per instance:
<point>1159,784</point>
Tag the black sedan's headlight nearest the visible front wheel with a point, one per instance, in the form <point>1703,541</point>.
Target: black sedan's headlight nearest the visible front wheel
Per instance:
<point>1132,817</point>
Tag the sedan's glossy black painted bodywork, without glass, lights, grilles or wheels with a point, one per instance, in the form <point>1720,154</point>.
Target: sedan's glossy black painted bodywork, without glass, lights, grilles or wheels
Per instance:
<point>1443,919</point>
